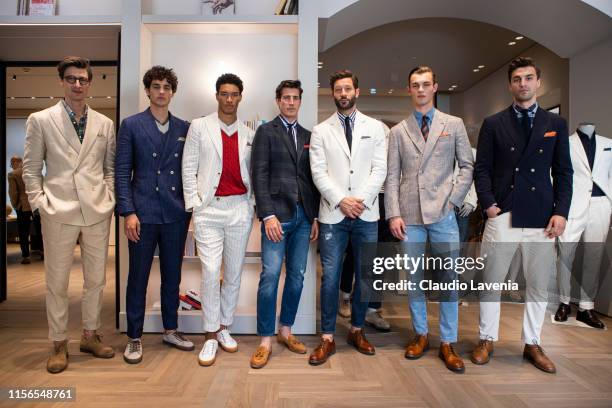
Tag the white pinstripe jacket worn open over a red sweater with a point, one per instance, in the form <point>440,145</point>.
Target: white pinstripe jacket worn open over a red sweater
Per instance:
<point>203,160</point>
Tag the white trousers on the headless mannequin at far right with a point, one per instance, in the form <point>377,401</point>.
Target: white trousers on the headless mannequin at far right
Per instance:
<point>593,227</point>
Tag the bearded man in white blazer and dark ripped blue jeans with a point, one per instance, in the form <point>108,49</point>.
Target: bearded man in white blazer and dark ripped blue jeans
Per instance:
<point>349,165</point>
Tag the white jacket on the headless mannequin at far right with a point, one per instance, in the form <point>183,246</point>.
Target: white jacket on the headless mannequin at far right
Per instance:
<point>584,178</point>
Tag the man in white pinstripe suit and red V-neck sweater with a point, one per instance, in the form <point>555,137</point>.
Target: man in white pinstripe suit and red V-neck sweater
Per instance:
<point>218,189</point>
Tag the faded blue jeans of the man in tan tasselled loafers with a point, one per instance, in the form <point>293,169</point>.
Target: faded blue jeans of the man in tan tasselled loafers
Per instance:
<point>294,246</point>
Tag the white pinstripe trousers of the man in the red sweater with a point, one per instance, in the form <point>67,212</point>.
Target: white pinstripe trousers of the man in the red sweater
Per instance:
<point>222,232</point>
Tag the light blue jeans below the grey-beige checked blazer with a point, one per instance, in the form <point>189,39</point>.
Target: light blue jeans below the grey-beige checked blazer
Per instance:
<point>444,238</point>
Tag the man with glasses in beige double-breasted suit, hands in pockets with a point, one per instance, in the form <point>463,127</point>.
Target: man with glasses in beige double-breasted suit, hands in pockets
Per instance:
<point>76,200</point>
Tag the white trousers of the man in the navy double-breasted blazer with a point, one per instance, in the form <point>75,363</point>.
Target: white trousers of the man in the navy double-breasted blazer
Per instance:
<point>499,244</point>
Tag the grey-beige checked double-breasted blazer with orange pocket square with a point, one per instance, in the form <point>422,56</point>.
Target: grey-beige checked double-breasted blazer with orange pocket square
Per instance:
<point>419,182</point>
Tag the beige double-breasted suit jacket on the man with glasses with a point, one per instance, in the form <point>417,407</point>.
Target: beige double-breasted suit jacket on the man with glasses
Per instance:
<point>78,187</point>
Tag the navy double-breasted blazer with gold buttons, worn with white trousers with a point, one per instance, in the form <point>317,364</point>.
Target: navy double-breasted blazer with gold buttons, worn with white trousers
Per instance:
<point>518,177</point>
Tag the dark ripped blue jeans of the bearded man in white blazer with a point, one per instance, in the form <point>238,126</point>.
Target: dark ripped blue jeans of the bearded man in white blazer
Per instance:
<point>333,239</point>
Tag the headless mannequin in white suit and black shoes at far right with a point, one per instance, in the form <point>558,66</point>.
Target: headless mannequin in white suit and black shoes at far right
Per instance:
<point>589,218</point>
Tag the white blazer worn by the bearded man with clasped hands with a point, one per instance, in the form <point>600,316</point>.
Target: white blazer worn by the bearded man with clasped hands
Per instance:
<point>339,172</point>
